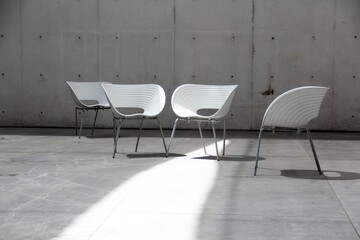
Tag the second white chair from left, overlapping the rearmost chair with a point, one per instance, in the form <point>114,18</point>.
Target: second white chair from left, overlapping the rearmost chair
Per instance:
<point>144,101</point>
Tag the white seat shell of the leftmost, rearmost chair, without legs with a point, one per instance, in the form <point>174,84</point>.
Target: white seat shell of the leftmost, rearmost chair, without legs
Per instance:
<point>88,94</point>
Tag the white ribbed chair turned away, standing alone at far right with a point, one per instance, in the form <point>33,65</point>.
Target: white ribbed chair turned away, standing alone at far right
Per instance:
<point>293,109</point>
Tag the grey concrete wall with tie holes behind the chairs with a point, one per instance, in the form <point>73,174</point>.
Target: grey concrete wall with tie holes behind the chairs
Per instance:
<point>262,45</point>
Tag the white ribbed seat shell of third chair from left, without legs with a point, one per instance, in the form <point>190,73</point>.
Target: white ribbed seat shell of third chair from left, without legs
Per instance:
<point>188,99</point>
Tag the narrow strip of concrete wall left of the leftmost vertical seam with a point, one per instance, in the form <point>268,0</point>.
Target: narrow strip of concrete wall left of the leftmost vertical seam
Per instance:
<point>10,64</point>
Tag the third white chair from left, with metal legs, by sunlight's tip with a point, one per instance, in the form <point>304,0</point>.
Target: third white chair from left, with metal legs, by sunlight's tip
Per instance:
<point>189,100</point>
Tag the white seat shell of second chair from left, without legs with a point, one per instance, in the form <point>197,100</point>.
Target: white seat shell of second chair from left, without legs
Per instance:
<point>148,97</point>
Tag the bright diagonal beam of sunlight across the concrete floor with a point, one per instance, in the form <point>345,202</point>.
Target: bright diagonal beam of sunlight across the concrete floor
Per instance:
<point>163,202</point>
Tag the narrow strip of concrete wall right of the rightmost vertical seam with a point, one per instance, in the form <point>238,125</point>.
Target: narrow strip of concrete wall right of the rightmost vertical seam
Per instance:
<point>347,67</point>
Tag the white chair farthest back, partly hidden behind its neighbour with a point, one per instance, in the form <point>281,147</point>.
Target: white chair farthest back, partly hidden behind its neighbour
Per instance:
<point>87,96</point>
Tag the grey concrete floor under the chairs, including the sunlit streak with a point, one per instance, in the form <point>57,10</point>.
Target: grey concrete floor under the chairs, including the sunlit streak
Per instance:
<point>55,186</point>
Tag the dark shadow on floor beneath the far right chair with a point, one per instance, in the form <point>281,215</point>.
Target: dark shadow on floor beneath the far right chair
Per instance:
<point>314,174</point>
